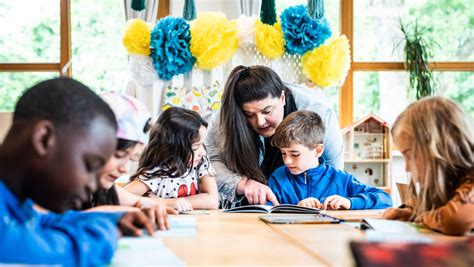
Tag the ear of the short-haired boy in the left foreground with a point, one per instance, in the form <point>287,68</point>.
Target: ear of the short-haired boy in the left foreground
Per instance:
<point>43,137</point>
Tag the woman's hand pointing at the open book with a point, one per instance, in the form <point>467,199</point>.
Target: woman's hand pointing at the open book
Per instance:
<point>256,193</point>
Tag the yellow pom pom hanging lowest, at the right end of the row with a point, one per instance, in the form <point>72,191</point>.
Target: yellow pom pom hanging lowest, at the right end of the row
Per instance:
<point>328,64</point>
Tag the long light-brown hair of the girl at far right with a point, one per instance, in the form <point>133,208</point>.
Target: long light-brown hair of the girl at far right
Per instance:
<point>441,134</point>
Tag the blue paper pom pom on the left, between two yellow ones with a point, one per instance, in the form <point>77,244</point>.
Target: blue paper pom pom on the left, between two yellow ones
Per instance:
<point>169,45</point>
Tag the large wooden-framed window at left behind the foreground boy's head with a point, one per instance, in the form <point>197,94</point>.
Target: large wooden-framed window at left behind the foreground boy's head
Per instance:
<point>31,41</point>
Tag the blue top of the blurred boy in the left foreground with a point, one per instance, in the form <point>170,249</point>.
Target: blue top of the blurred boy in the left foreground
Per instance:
<point>72,238</point>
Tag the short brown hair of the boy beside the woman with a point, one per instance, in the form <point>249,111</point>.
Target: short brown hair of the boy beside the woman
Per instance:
<point>304,127</point>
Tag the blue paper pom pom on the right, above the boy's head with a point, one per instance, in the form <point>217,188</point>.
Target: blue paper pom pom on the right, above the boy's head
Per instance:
<point>301,32</point>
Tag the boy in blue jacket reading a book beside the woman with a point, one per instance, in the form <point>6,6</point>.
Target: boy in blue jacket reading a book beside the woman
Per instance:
<point>306,180</point>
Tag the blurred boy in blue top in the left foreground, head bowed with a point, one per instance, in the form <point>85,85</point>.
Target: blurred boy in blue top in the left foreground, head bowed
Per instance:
<point>61,136</point>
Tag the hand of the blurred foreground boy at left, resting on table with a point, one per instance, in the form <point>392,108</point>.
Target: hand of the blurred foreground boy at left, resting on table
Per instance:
<point>132,222</point>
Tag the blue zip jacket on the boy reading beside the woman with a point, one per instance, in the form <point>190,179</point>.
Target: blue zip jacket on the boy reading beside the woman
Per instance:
<point>324,181</point>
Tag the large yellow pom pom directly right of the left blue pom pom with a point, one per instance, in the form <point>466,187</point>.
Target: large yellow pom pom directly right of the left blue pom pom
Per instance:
<point>214,39</point>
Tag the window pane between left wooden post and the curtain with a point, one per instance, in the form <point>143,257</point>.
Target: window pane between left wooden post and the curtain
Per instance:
<point>99,59</point>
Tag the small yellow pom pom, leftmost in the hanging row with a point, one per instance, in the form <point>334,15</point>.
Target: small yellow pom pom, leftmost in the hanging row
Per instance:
<point>137,37</point>
